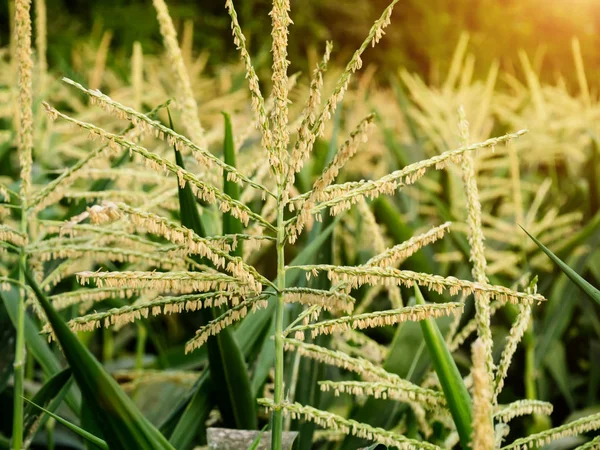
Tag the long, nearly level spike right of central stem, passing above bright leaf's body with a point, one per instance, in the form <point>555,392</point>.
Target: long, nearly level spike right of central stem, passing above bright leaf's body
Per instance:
<point>360,275</point>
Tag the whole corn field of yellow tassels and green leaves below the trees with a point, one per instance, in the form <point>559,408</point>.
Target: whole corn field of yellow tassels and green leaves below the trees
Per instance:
<point>245,257</point>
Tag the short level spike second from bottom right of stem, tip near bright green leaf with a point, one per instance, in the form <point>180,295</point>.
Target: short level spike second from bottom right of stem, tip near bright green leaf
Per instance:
<point>406,392</point>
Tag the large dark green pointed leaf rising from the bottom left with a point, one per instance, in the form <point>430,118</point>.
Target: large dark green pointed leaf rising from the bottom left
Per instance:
<point>122,423</point>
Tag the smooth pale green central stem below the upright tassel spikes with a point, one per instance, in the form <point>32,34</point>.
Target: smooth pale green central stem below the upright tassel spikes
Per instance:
<point>277,424</point>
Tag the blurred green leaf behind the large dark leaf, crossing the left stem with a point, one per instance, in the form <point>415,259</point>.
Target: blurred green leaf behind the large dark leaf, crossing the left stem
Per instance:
<point>38,346</point>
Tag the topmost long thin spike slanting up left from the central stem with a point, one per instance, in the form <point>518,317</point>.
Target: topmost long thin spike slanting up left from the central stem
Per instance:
<point>146,124</point>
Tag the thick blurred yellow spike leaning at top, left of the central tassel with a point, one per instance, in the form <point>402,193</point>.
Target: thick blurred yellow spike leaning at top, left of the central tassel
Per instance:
<point>185,94</point>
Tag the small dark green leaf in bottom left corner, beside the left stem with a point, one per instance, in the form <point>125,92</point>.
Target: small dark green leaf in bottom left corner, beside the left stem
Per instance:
<point>51,396</point>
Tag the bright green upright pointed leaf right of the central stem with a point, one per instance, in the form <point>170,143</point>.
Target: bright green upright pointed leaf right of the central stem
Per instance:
<point>455,391</point>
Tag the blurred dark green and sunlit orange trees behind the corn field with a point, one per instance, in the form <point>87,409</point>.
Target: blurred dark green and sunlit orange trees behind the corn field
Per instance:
<point>421,38</point>
